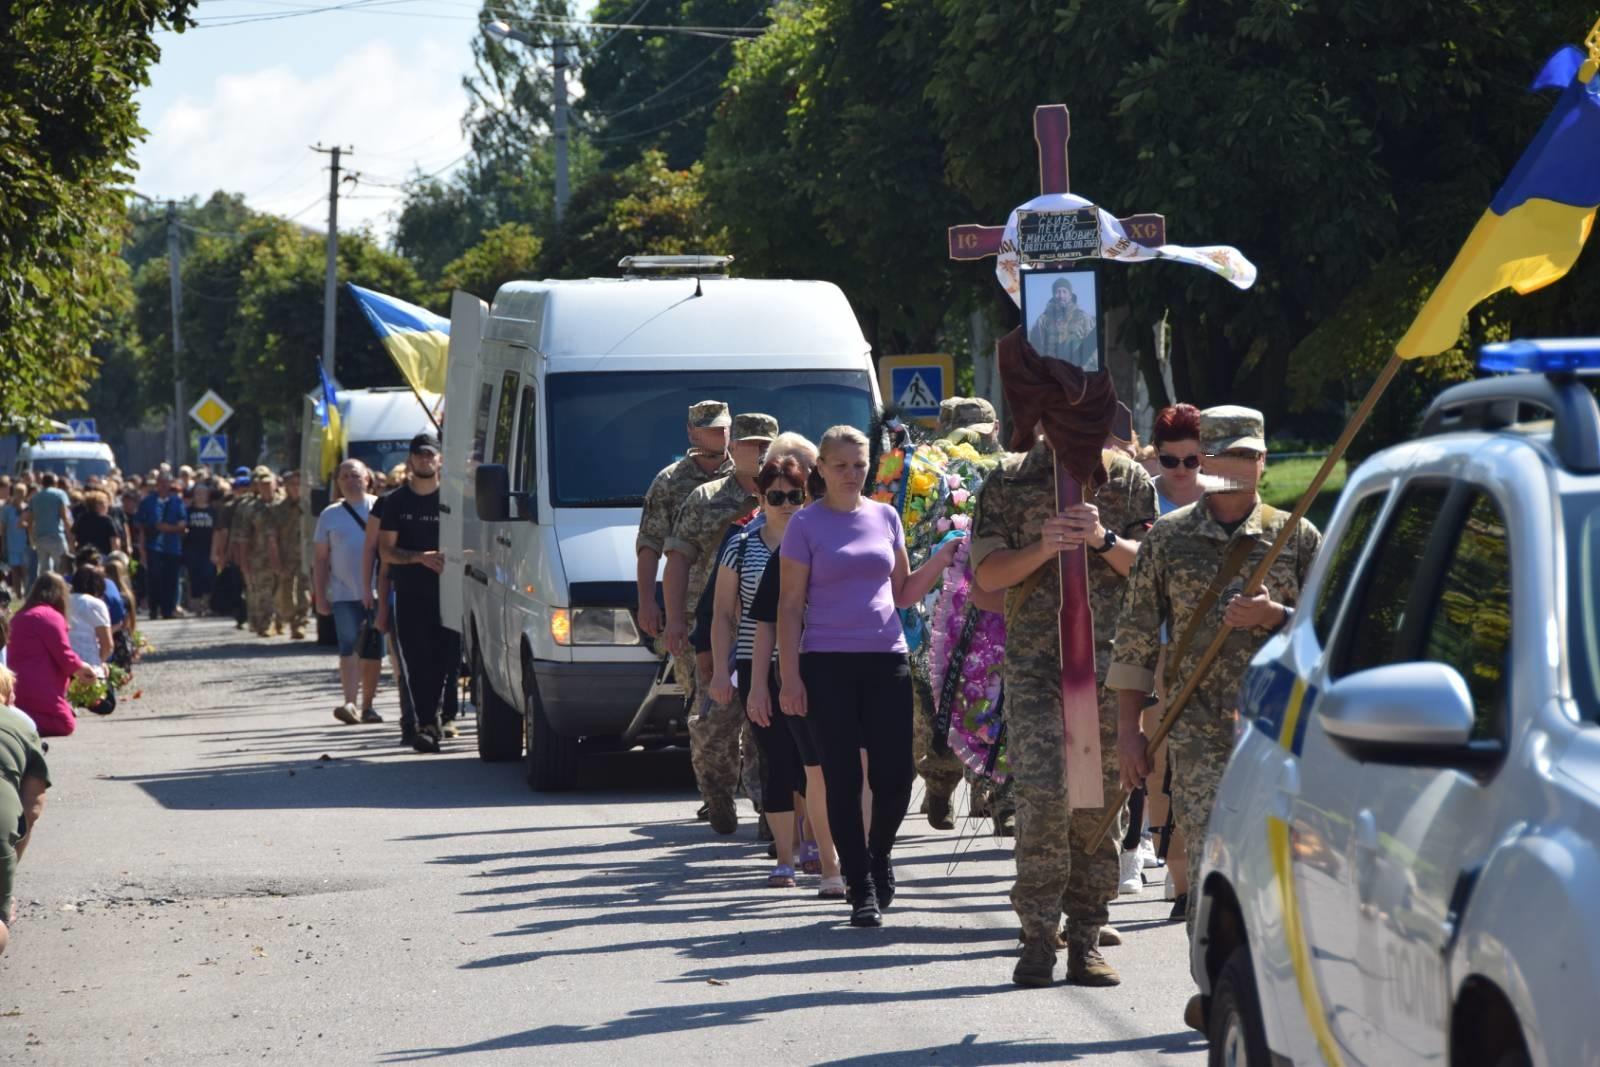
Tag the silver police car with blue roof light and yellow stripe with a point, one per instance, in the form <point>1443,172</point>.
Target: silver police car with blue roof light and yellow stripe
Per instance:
<point>1404,860</point>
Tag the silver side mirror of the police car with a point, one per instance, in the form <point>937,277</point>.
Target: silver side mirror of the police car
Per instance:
<point>1417,713</point>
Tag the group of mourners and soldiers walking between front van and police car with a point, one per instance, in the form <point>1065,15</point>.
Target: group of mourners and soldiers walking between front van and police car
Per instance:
<point>796,618</point>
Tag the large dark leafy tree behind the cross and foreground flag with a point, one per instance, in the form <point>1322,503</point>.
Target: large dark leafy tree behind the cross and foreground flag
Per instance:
<point>1346,148</point>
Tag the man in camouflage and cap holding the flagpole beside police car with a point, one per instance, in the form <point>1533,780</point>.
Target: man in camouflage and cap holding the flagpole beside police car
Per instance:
<point>1183,554</point>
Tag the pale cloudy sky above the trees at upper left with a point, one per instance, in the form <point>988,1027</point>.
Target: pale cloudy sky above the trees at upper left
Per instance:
<point>236,106</point>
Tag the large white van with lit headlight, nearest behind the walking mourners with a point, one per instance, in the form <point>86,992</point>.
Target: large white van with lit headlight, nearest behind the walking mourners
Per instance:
<point>564,401</point>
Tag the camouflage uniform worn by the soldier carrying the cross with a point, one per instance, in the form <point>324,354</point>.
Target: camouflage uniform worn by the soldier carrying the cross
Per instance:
<point>1055,873</point>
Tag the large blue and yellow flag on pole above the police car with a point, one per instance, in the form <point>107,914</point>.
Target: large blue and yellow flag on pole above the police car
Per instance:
<point>1538,222</point>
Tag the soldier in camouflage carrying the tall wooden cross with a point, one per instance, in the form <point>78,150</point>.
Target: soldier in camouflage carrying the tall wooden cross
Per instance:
<point>1018,532</point>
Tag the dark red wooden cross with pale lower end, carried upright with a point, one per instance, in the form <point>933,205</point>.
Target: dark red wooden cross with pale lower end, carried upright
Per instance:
<point>1079,682</point>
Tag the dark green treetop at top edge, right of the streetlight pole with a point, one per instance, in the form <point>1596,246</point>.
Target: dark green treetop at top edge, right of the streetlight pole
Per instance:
<point>658,90</point>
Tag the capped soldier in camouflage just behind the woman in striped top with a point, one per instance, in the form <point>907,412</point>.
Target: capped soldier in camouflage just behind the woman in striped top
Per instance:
<point>692,554</point>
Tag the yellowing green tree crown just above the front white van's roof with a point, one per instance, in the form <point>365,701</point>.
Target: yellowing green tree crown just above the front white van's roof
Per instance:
<point>644,209</point>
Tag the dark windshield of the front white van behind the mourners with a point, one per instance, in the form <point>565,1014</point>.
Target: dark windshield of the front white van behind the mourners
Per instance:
<point>610,434</point>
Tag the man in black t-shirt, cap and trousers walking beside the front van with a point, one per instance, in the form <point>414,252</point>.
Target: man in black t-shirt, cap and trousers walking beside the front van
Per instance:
<point>409,543</point>
